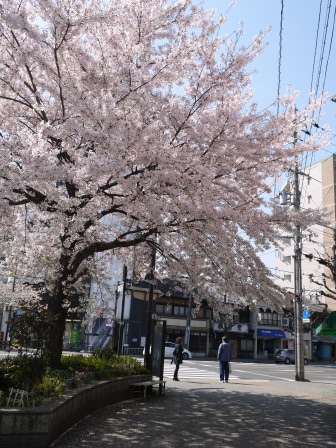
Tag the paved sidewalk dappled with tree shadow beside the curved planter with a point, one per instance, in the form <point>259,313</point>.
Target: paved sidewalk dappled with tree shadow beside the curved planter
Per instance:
<point>209,414</point>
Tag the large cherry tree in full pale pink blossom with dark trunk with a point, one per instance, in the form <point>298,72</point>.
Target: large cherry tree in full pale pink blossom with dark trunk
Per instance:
<point>129,125</point>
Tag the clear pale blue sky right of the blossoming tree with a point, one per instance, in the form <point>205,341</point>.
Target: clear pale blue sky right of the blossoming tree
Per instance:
<point>300,23</point>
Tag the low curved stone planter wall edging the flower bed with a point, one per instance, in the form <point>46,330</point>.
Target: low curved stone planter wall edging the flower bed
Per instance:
<point>39,427</point>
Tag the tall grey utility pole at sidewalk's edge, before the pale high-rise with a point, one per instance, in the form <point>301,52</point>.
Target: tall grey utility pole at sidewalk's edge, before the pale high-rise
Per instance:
<point>299,348</point>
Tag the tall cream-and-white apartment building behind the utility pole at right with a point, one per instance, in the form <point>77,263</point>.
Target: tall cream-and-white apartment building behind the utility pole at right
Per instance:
<point>317,186</point>
